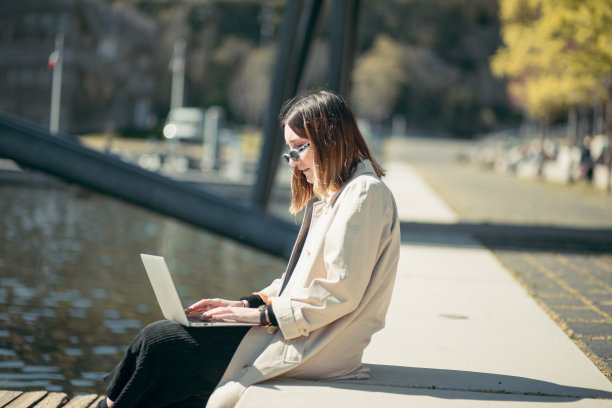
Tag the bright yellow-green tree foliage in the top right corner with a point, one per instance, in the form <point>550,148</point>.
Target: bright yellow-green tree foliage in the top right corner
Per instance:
<point>557,54</point>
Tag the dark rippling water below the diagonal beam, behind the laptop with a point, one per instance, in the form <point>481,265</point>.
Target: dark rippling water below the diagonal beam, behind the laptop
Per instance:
<point>73,291</point>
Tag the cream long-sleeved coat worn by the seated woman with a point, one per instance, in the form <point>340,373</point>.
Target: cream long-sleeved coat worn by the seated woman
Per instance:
<point>342,270</point>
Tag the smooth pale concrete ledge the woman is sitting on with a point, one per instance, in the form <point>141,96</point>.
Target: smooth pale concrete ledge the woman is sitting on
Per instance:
<point>461,332</point>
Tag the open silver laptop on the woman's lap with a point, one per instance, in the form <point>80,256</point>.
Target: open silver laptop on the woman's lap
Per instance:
<point>168,298</point>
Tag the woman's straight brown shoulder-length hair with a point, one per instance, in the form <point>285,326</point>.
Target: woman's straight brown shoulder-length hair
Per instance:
<point>327,121</point>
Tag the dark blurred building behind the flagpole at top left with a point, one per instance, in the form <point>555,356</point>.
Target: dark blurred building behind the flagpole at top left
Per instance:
<point>108,80</point>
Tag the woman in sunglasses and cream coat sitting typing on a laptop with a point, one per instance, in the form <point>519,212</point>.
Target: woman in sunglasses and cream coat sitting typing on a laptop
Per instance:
<point>320,315</point>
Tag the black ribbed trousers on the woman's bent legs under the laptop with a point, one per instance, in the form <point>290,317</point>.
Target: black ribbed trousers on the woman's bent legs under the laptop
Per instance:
<point>169,365</point>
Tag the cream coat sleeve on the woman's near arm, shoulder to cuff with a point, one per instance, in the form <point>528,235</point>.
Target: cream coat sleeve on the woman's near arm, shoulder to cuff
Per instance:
<point>350,251</point>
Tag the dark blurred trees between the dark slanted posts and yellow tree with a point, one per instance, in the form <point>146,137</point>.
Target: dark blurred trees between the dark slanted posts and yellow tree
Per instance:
<point>443,47</point>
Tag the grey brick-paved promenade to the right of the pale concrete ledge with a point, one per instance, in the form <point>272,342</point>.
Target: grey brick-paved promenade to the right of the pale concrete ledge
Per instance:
<point>555,239</point>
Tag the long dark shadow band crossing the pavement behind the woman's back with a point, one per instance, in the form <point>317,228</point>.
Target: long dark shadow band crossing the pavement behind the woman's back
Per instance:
<point>509,237</point>
